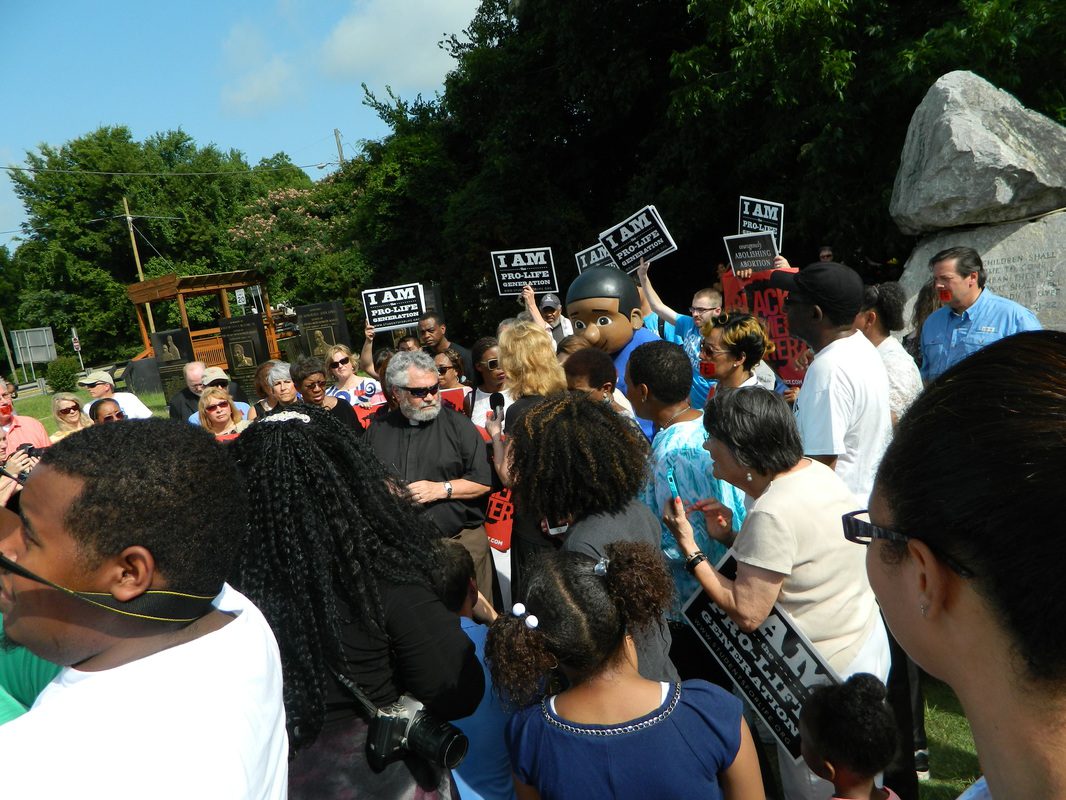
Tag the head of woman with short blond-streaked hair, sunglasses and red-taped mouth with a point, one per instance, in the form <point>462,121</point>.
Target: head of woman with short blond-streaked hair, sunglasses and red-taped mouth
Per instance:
<point>733,347</point>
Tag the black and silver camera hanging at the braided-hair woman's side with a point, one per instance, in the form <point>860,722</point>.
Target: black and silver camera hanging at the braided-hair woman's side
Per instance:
<point>406,727</point>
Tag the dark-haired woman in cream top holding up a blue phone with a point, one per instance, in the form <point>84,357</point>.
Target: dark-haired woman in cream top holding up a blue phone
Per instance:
<point>790,551</point>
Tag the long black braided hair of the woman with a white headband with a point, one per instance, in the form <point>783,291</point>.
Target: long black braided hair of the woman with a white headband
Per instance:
<point>325,521</point>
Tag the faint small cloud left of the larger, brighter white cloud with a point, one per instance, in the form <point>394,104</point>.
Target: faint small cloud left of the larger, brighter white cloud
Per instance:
<point>262,82</point>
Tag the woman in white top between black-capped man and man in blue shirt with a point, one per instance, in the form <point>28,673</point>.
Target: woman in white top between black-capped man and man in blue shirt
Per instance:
<point>882,314</point>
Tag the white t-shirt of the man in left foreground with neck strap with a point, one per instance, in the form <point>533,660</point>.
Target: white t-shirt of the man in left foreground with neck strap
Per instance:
<point>201,721</point>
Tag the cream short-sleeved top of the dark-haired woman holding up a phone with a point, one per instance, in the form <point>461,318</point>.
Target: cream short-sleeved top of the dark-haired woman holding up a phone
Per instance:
<point>795,529</point>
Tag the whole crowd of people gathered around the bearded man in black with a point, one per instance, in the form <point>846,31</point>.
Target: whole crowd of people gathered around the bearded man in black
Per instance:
<point>299,597</point>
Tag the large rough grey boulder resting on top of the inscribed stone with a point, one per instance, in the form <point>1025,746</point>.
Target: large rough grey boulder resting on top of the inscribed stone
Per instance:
<point>974,156</point>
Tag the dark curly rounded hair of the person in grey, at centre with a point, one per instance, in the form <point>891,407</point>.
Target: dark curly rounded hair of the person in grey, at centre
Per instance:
<point>573,458</point>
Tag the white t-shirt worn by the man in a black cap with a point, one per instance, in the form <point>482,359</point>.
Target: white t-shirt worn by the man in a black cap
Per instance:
<point>843,411</point>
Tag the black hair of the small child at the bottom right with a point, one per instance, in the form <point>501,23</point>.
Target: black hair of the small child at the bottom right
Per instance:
<point>850,726</point>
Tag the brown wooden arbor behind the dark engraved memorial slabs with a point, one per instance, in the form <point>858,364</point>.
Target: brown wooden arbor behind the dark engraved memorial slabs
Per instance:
<point>207,344</point>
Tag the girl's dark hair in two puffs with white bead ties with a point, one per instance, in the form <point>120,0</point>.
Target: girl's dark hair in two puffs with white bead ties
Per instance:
<point>583,617</point>
